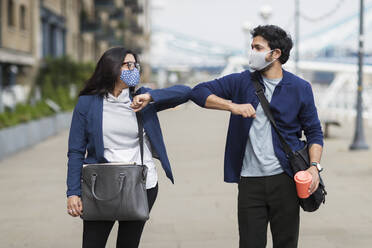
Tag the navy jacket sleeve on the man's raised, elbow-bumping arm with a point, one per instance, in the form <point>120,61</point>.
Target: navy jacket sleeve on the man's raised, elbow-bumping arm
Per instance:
<point>222,87</point>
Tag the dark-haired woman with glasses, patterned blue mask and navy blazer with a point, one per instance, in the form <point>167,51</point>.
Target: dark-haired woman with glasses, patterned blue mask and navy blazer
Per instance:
<point>104,129</point>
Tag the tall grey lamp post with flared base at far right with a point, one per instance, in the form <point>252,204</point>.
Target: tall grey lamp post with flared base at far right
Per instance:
<point>359,140</point>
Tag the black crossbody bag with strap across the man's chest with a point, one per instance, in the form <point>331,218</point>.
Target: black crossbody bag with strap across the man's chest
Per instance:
<point>299,160</point>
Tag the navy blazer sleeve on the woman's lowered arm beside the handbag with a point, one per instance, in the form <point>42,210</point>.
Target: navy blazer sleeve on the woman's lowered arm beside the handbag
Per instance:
<point>77,144</point>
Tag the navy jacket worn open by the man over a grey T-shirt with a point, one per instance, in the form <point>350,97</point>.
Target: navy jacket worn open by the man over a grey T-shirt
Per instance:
<point>292,106</point>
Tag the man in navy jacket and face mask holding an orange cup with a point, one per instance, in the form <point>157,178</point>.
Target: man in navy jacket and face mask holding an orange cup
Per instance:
<point>254,157</point>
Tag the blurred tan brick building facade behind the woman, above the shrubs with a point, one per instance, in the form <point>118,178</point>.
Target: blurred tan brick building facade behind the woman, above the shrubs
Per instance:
<point>32,30</point>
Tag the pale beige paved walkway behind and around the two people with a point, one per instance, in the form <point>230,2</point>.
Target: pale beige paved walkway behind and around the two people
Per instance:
<point>199,211</point>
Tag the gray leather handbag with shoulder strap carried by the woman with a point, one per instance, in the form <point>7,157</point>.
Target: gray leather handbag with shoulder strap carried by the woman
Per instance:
<point>115,191</point>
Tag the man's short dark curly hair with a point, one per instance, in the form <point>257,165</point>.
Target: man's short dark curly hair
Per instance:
<point>277,39</point>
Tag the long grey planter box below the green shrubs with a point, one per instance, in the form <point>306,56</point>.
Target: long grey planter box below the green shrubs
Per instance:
<point>14,139</point>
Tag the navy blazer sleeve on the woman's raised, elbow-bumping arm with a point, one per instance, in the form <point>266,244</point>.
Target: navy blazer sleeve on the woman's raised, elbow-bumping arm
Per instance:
<point>170,97</point>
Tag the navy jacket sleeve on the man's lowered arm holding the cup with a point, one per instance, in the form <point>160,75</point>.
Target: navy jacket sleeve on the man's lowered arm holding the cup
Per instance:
<point>309,120</point>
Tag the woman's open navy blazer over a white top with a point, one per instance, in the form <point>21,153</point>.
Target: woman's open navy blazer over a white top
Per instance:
<point>85,144</point>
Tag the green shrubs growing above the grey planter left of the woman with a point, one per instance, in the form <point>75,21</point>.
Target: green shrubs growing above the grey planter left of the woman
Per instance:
<point>55,78</point>
